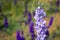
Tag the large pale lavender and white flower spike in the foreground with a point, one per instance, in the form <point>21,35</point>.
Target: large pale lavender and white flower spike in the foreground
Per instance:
<point>40,28</point>
